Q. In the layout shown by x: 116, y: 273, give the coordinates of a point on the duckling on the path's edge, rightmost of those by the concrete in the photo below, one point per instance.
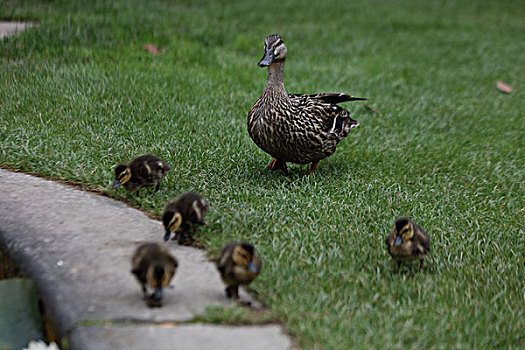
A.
x: 238, y: 264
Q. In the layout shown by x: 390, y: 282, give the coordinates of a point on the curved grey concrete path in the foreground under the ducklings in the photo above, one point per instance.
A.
x: 77, y: 247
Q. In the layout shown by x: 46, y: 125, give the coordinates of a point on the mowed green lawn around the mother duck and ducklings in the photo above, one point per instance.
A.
x: 447, y: 149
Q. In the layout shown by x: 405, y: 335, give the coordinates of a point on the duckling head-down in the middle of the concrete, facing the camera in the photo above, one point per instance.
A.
x: 154, y: 266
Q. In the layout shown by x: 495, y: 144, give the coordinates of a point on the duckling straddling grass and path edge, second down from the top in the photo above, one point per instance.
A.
x: 183, y: 212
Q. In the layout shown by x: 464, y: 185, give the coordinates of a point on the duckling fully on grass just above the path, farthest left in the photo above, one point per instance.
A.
x: 146, y: 170
